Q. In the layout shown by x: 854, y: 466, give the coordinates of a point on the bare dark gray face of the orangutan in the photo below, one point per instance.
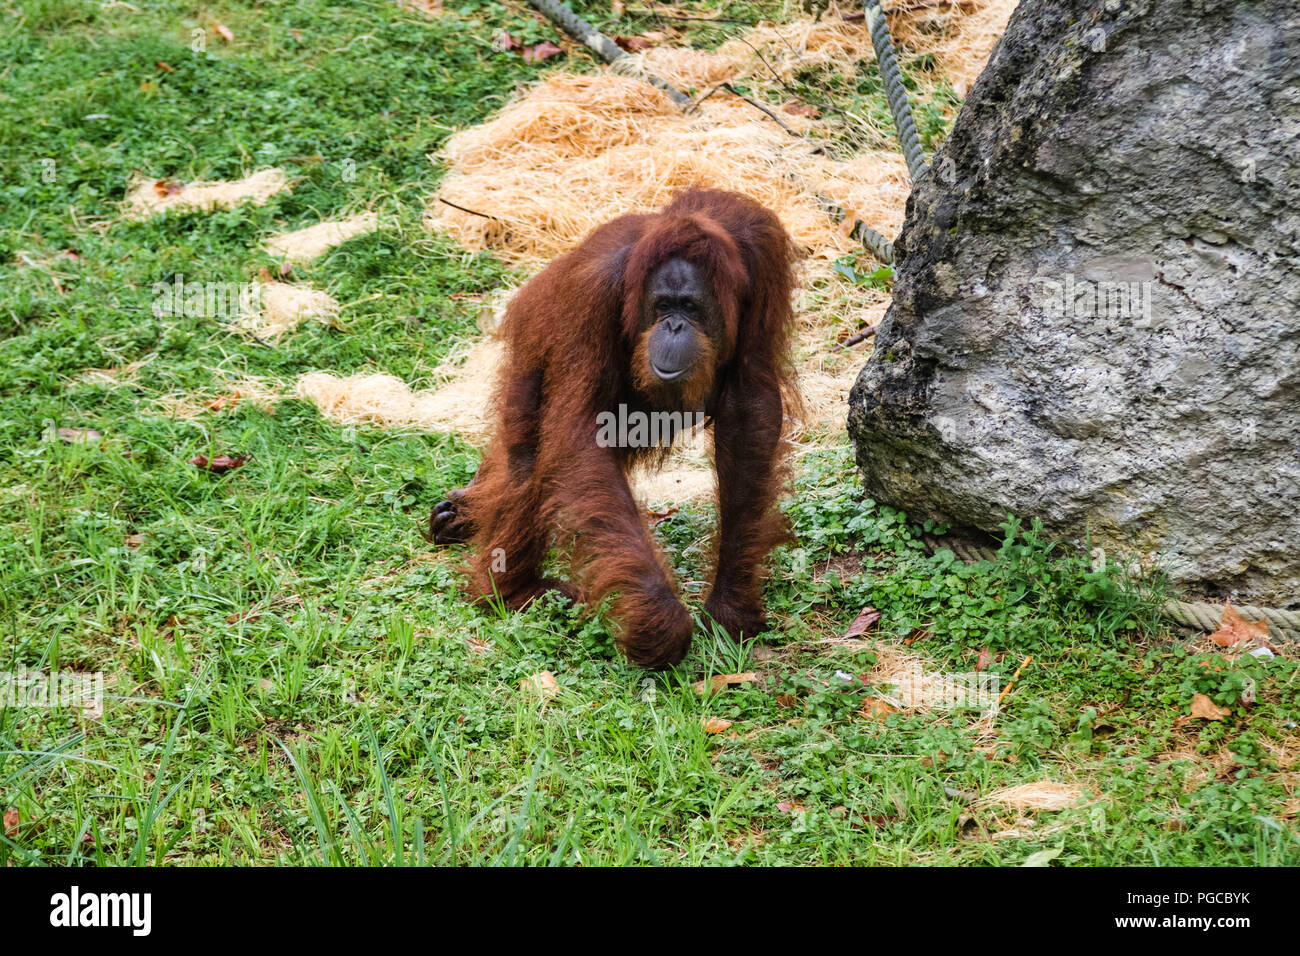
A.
x: 681, y: 308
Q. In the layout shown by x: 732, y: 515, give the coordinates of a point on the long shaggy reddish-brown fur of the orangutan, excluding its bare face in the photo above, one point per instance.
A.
x: 575, y: 351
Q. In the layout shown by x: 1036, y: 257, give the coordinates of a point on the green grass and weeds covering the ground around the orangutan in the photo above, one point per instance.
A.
x: 292, y: 677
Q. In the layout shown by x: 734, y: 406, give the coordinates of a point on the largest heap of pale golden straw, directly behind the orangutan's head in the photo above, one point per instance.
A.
x: 580, y: 150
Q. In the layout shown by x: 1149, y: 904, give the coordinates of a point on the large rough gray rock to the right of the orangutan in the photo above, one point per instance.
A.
x: 1097, y: 313
